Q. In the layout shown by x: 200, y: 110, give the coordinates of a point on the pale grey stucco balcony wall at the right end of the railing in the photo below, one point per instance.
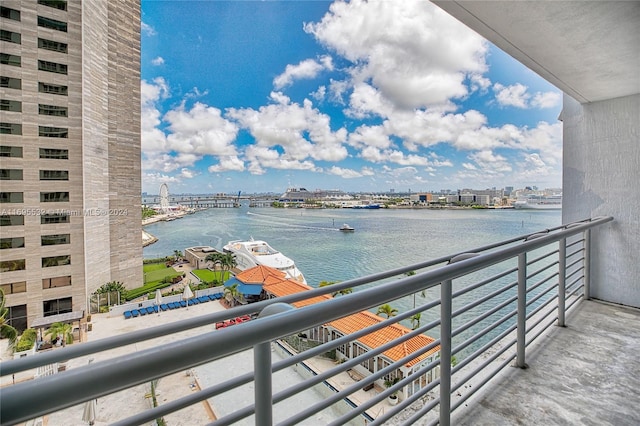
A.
x: 602, y: 177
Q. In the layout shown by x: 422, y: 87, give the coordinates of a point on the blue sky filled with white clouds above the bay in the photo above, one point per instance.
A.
x: 359, y: 96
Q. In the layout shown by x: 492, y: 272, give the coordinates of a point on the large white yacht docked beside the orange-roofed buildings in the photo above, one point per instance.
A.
x: 255, y: 252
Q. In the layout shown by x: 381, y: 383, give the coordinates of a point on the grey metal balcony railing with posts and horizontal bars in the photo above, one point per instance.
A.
x: 483, y: 308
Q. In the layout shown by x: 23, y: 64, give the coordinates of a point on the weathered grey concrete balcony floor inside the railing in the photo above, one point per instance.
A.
x: 587, y: 373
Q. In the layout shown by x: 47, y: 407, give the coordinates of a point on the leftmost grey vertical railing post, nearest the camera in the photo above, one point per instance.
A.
x: 263, y: 385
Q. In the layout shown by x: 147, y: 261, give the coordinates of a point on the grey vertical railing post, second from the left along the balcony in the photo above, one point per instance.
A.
x: 445, y: 352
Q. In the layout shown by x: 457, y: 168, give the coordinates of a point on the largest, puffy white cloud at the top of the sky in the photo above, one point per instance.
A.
x: 412, y: 52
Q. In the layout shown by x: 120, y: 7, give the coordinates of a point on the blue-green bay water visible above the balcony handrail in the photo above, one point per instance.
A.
x: 383, y: 239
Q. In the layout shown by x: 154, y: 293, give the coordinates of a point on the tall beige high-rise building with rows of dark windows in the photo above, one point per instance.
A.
x: 69, y: 153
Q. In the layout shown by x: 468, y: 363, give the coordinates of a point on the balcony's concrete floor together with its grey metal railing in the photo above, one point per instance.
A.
x: 518, y: 303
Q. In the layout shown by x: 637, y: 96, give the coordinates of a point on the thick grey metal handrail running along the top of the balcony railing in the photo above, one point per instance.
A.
x: 36, y: 397
